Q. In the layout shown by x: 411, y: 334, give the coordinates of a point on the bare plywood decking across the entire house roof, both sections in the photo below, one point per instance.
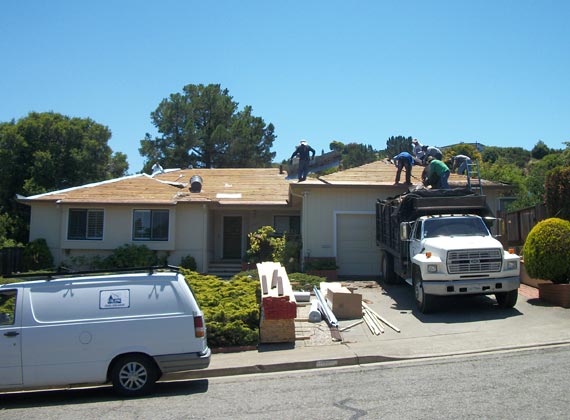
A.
x: 240, y: 186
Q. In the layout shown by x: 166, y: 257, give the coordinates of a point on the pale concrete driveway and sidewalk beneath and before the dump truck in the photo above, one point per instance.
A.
x: 467, y: 324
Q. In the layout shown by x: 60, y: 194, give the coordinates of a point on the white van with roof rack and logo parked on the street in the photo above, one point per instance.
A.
x: 127, y: 329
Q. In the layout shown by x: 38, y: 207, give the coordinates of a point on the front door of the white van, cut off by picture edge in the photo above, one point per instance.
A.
x: 10, y: 340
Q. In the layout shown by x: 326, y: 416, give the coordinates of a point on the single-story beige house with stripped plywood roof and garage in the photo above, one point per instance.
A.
x: 207, y: 214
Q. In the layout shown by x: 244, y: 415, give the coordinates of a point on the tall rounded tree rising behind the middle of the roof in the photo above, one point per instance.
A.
x: 202, y: 127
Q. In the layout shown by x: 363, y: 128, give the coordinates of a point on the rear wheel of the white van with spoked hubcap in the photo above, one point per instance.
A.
x: 134, y: 375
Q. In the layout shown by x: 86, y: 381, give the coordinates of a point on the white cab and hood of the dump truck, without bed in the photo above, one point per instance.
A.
x: 456, y: 254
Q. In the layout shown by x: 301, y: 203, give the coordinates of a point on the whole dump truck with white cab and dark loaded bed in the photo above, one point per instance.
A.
x: 439, y: 241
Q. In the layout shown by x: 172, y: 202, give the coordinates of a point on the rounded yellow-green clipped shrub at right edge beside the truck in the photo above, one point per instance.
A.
x: 546, y: 250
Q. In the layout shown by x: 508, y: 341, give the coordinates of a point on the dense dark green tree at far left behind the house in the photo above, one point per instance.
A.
x: 48, y: 151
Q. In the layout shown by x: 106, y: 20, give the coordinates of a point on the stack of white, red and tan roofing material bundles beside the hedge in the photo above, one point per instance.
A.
x: 278, y: 304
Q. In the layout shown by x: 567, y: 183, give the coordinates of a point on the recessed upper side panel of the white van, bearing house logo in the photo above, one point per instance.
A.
x: 74, y: 301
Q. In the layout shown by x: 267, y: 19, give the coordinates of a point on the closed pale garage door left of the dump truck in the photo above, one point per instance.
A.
x: 357, y: 253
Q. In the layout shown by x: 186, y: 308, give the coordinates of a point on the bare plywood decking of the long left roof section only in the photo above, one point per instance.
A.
x: 252, y: 186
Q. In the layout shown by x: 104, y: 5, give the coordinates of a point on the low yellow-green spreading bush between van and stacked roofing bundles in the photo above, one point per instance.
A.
x: 231, y: 308
